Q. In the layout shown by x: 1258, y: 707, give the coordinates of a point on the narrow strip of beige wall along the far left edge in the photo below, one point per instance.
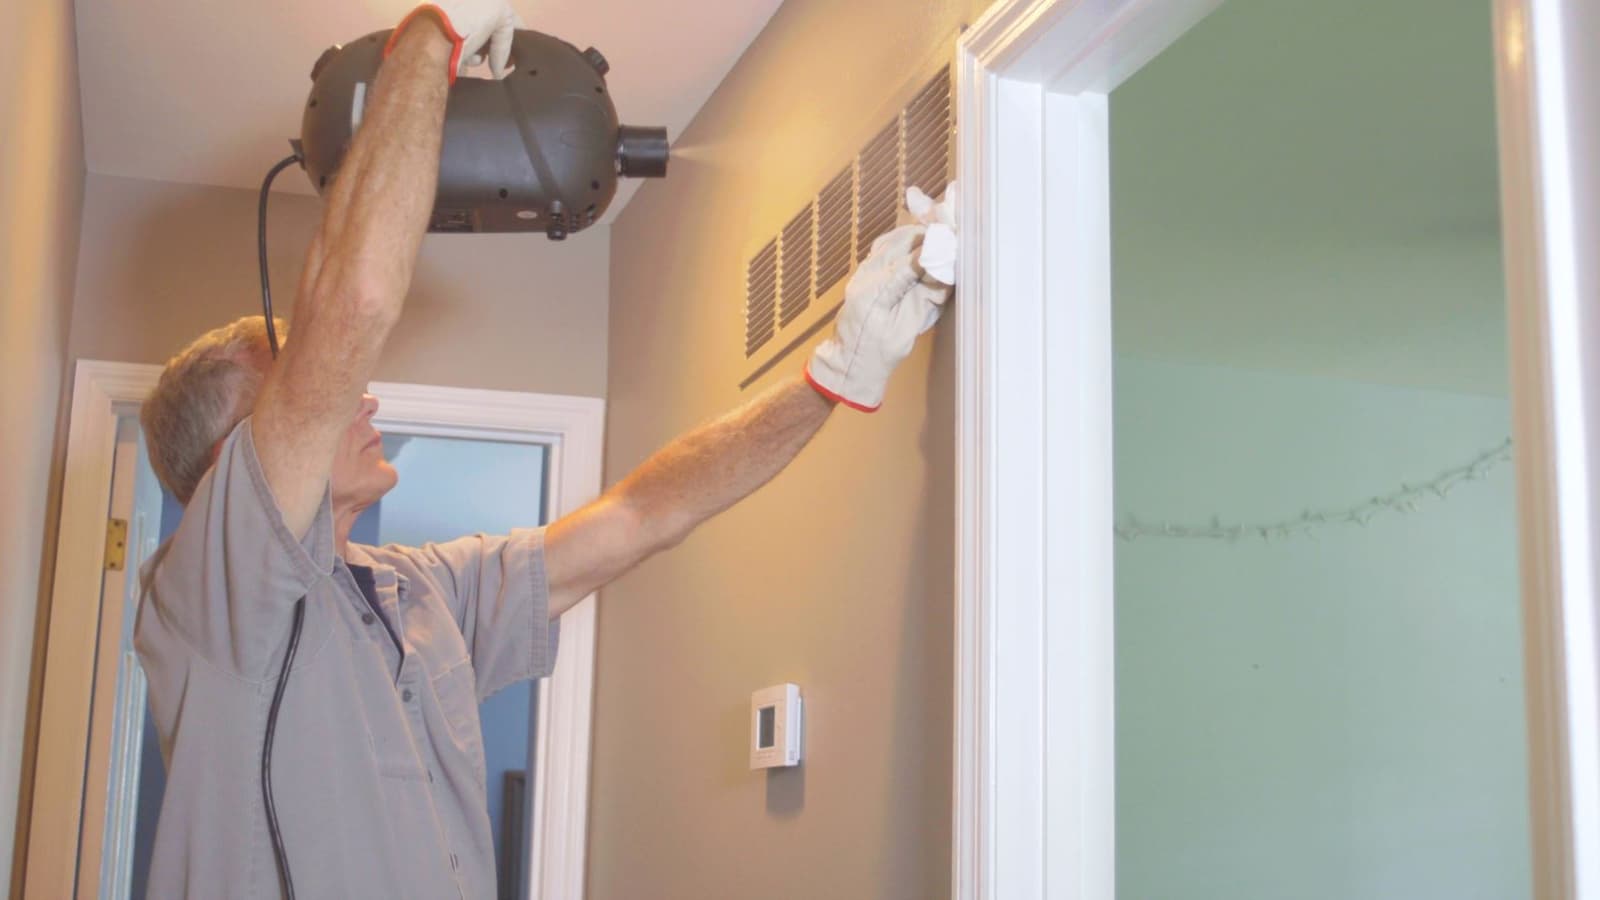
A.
x: 41, y: 201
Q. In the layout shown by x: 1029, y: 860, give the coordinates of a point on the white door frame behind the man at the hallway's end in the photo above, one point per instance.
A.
x: 103, y: 392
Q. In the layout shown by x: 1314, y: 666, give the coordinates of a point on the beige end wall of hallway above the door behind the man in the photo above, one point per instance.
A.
x: 164, y: 262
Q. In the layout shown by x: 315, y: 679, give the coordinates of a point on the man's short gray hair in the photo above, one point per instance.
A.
x: 207, y: 390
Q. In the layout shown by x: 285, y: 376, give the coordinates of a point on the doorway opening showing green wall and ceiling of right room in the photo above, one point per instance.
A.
x: 1319, y: 677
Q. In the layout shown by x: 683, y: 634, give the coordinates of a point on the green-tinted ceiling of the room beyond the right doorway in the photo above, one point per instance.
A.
x: 1311, y: 187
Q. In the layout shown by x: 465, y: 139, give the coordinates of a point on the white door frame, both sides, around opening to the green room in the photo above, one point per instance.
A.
x: 1034, y: 745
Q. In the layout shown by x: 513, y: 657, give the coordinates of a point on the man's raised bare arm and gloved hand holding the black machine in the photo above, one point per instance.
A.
x: 361, y: 262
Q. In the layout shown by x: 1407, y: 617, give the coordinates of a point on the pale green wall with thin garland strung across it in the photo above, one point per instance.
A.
x: 1314, y: 718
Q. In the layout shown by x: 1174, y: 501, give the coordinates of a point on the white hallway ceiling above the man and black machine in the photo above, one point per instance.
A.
x: 209, y: 94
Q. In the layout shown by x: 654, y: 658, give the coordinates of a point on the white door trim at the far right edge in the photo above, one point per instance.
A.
x: 1550, y: 153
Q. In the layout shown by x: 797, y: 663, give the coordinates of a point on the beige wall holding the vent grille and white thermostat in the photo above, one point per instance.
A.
x: 836, y: 577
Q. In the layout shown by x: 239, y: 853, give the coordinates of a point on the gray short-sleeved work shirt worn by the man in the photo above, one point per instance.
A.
x: 378, y: 763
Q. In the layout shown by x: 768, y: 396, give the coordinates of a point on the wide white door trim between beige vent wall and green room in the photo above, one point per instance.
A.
x: 1034, y: 755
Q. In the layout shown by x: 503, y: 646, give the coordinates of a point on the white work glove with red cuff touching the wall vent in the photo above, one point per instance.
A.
x: 889, y: 303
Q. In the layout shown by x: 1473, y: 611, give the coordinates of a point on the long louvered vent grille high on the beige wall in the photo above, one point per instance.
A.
x: 817, y: 249
